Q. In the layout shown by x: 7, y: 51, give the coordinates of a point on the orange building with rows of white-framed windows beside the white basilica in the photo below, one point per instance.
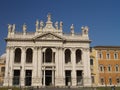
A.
x: 108, y: 58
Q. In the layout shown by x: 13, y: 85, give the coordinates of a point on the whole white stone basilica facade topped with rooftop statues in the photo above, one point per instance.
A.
x: 47, y: 57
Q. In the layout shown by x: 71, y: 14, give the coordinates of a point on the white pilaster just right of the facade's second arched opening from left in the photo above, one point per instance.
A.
x: 35, y: 67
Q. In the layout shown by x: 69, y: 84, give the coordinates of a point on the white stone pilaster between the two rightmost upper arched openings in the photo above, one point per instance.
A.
x: 73, y: 60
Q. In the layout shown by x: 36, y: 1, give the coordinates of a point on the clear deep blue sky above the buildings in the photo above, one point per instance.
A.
x: 101, y: 16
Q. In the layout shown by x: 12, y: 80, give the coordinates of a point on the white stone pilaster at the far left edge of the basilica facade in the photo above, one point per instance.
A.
x: 6, y: 78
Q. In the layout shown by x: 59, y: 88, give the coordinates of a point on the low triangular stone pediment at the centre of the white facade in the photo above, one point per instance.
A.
x: 48, y: 36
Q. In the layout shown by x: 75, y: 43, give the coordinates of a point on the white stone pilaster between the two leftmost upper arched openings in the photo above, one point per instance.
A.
x: 22, y: 67
